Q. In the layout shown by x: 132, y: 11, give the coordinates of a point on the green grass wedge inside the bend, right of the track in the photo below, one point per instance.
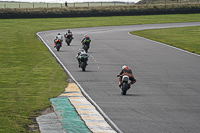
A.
x: 186, y: 38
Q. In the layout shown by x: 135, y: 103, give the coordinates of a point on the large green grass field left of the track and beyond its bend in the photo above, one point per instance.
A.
x: 30, y: 75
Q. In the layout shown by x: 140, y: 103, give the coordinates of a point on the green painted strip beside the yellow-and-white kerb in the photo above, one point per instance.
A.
x: 71, y: 121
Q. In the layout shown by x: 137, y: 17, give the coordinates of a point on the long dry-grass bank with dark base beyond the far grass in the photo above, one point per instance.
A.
x: 100, y: 11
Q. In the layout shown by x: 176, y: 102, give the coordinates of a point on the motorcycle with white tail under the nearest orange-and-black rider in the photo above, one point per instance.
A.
x: 125, y: 84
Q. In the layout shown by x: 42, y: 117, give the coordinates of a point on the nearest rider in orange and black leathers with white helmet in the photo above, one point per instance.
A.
x: 126, y: 71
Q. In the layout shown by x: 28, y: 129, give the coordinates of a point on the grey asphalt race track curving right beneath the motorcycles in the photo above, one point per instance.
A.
x: 166, y: 96
